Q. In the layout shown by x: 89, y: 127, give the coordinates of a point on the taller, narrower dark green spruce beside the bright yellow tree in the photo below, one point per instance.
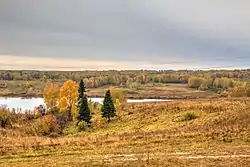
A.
x: 84, y: 113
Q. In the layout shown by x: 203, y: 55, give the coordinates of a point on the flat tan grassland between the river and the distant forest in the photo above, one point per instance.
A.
x: 167, y: 91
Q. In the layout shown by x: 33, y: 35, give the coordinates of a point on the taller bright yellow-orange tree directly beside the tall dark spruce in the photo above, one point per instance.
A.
x: 68, y: 97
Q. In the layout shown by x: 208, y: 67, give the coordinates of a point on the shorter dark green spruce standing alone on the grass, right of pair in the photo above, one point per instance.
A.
x: 108, y: 108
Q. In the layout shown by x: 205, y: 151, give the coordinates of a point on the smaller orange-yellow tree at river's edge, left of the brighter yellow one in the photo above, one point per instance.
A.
x: 51, y: 95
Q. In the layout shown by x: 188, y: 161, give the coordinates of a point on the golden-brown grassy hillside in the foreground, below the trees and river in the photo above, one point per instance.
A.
x: 187, y: 133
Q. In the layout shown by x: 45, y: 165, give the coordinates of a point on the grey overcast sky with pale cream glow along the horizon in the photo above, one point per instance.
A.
x: 124, y: 34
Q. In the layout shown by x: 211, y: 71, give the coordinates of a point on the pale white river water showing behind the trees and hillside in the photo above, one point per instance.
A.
x: 30, y: 103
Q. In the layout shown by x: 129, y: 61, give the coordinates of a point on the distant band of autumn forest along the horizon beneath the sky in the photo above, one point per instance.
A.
x: 215, y: 80
